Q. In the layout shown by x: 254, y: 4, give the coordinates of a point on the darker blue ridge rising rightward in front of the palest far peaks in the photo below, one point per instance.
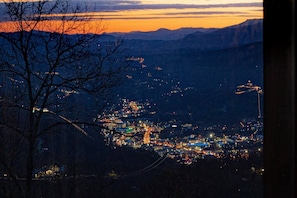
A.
x: 245, y: 33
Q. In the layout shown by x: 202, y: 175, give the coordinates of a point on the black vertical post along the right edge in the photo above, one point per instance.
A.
x: 279, y: 99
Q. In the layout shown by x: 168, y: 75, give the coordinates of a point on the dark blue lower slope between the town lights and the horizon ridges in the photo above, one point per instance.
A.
x: 199, y: 82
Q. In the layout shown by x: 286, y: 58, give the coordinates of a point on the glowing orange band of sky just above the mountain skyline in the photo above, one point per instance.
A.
x: 150, y: 18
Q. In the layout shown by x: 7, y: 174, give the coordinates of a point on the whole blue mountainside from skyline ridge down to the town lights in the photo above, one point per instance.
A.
x: 212, y: 64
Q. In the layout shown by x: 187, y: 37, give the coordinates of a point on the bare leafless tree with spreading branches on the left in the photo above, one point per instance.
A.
x: 43, y: 73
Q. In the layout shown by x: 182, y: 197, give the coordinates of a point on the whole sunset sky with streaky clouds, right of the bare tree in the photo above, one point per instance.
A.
x: 150, y: 15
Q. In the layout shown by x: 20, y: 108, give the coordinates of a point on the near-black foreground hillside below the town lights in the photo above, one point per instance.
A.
x: 96, y: 171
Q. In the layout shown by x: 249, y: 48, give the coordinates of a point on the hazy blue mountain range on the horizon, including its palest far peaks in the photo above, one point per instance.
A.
x: 250, y: 31
